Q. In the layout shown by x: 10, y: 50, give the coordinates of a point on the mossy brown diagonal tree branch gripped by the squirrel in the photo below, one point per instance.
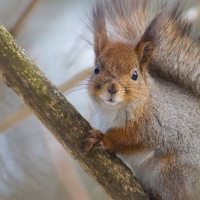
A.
x: 62, y: 119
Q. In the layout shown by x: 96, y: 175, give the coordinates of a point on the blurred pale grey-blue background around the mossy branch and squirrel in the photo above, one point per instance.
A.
x: 33, y: 165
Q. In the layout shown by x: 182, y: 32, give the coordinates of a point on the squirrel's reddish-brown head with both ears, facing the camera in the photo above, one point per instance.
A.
x: 119, y: 75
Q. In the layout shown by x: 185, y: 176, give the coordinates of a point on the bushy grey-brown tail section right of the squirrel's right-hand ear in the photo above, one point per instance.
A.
x: 177, y: 55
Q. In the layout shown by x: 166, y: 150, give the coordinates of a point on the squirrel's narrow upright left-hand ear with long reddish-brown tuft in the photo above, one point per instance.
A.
x: 99, y: 29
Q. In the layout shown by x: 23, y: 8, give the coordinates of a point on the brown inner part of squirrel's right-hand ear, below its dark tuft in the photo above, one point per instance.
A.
x: 144, y: 51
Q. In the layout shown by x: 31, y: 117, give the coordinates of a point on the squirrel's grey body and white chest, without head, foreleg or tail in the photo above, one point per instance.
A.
x: 171, y: 135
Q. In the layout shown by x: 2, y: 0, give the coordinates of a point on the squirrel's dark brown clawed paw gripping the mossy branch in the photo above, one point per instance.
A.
x: 94, y: 139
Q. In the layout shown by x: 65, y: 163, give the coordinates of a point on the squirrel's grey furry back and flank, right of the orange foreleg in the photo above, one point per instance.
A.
x: 175, y: 123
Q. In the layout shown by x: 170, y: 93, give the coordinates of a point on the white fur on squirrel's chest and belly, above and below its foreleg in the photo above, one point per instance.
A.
x: 103, y: 118
